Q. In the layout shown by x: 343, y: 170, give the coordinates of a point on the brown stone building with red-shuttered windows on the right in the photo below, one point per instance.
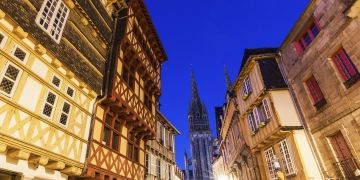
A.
x: 321, y: 59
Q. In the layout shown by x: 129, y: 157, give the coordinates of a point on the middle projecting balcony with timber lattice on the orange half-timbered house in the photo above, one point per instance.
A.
x: 131, y: 109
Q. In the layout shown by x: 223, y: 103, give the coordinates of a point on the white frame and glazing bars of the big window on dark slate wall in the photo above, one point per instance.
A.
x: 52, y: 19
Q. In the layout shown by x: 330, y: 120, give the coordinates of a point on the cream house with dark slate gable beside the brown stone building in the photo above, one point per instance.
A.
x: 269, y: 122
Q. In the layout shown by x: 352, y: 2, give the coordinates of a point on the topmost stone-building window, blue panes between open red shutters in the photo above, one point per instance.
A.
x: 308, y: 36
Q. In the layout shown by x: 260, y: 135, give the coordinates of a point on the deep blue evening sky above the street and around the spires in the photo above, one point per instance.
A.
x: 208, y: 34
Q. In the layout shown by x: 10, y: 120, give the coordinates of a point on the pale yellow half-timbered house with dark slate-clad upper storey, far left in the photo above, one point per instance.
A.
x: 52, y: 57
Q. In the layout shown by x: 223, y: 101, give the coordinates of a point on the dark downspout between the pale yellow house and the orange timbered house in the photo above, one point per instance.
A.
x: 117, y: 35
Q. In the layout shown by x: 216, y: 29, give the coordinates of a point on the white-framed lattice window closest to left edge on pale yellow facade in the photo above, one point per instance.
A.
x: 9, y: 79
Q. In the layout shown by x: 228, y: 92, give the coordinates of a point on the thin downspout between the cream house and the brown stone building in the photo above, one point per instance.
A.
x: 301, y: 115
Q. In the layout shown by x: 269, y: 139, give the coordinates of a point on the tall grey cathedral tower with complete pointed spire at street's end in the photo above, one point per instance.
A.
x: 200, y: 138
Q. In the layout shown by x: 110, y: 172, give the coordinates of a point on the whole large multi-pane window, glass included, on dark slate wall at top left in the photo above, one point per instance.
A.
x: 52, y: 18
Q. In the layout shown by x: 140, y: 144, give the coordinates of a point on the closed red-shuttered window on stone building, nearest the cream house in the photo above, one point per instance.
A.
x: 315, y: 92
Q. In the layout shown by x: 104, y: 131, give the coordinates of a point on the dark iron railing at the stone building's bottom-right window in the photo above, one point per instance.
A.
x: 346, y: 168
